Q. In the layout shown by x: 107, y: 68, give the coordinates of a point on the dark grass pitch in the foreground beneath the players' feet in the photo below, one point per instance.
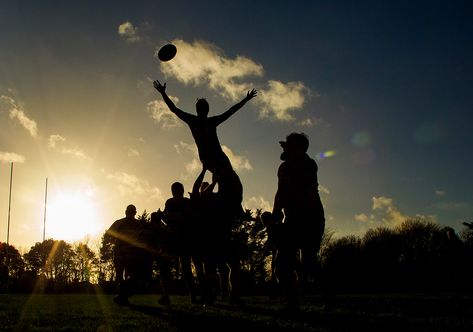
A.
x: 21, y: 312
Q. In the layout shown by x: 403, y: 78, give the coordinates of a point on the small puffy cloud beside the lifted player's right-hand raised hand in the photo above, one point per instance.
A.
x: 280, y: 100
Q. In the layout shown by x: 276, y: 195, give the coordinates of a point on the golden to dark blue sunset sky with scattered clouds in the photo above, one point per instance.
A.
x: 384, y: 91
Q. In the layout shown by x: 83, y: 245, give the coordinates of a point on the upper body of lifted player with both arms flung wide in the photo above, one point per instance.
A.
x: 204, y: 128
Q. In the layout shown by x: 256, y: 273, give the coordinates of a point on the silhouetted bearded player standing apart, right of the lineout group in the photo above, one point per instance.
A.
x: 297, y: 200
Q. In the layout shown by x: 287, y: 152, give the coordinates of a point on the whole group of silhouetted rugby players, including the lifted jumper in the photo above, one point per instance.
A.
x: 198, y: 229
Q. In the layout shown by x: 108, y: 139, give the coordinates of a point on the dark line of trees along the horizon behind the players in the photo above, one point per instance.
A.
x: 419, y: 255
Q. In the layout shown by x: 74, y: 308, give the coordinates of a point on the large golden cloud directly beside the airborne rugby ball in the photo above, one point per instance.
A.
x: 202, y: 63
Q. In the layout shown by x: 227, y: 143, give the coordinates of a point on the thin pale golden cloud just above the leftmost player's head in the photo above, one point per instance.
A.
x: 130, y: 184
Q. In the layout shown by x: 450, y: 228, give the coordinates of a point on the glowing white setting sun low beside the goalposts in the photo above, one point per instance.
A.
x: 72, y: 216
